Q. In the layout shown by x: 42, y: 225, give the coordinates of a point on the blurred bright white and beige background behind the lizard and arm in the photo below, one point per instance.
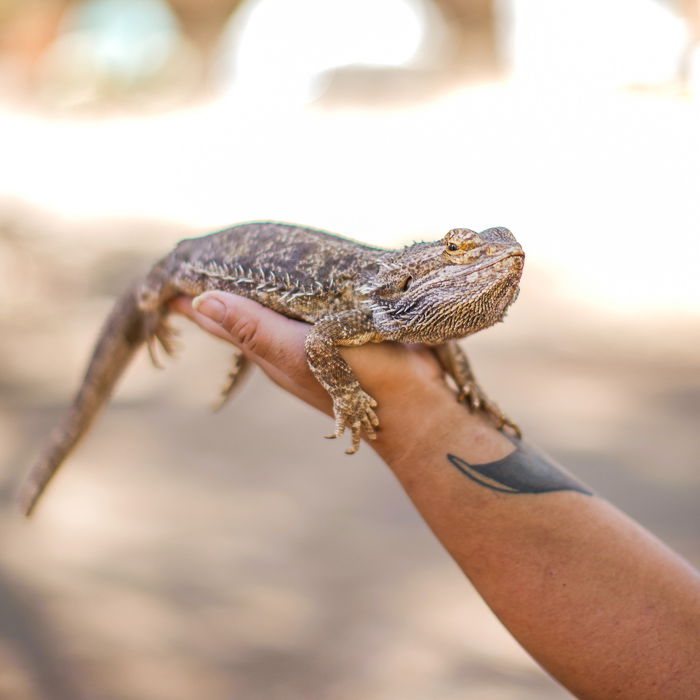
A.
x: 183, y: 555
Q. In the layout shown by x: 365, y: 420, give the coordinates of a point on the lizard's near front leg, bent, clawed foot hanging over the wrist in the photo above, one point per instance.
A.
x: 352, y: 406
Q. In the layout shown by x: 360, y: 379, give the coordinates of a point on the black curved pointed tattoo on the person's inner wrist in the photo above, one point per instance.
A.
x: 522, y: 471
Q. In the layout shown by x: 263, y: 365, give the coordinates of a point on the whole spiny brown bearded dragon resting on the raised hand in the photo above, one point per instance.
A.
x: 351, y: 293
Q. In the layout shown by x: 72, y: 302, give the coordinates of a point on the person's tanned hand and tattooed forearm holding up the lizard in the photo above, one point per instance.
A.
x: 601, y: 604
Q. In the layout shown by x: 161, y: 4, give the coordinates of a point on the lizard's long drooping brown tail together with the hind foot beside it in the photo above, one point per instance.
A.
x: 125, y: 330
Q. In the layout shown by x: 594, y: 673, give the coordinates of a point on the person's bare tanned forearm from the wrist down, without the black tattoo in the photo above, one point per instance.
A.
x: 599, y: 602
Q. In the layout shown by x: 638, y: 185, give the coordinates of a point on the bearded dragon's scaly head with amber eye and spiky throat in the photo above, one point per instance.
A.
x: 433, y: 292
